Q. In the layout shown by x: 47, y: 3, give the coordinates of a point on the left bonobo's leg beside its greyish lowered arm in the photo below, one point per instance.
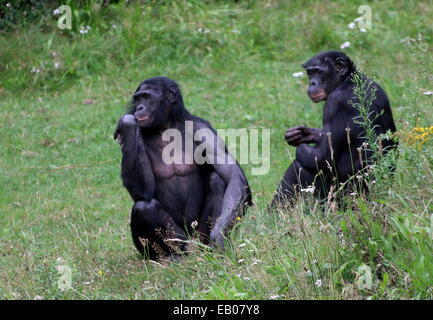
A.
x: 212, y: 205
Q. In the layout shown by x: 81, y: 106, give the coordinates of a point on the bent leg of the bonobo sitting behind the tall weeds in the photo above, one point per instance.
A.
x: 295, y: 178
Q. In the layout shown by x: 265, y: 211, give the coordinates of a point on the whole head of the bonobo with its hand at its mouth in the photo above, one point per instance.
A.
x: 156, y: 101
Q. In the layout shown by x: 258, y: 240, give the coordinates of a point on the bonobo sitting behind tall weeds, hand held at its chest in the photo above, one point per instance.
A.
x: 330, y: 155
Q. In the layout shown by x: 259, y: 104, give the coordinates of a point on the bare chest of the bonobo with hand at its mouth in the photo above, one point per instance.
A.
x: 168, y: 159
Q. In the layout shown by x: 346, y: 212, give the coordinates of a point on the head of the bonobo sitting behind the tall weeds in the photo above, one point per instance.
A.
x: 325, y: 72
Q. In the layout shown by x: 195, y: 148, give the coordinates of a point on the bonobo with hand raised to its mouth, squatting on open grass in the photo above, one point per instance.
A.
x: 174, y: 199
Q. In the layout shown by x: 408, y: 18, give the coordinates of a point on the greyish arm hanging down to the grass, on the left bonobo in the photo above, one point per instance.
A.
x: 237, y: 193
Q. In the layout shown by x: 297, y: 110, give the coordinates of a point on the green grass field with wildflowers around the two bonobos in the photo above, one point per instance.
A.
x: 60, y: 189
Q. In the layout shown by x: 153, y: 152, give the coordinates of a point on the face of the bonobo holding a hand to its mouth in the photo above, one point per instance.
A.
x: 151, y: 106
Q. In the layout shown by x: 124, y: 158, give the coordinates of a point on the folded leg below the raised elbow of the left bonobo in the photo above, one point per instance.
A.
x: 153, y: 230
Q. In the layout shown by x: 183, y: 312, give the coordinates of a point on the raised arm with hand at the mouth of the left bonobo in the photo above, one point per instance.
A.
x: 137, y: 174
